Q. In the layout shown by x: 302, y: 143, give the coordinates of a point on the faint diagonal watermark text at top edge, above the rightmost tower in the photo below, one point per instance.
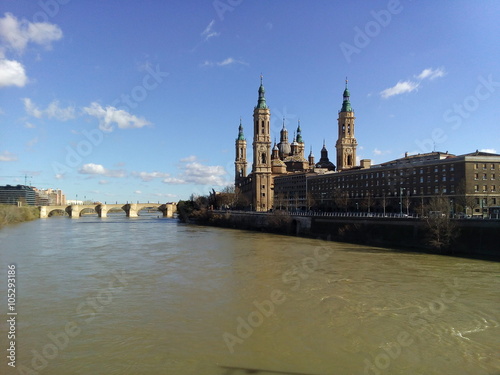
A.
x: 372, y: 29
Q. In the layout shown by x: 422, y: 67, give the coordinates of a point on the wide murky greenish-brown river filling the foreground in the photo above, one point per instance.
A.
x: 152, y: 296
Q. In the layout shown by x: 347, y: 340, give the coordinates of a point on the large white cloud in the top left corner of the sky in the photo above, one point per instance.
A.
x: 17, y: 34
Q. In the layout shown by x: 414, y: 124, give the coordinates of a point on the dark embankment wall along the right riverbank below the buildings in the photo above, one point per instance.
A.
x: 474, y: 236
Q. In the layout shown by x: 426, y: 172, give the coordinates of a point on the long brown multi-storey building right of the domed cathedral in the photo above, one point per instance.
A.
x: 406, y: 184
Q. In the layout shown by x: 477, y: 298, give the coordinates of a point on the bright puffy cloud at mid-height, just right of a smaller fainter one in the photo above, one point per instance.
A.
x: 111, y: 115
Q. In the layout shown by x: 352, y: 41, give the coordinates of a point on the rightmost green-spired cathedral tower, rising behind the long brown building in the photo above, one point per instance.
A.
x: 346, y: 143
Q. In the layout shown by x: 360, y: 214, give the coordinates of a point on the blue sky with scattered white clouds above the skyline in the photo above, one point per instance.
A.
x: 141, y: 100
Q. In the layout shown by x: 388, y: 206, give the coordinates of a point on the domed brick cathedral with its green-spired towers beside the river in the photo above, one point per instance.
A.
x: 285, y: 157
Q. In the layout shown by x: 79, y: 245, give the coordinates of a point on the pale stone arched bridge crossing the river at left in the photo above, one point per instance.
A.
x: 131, y: 209
